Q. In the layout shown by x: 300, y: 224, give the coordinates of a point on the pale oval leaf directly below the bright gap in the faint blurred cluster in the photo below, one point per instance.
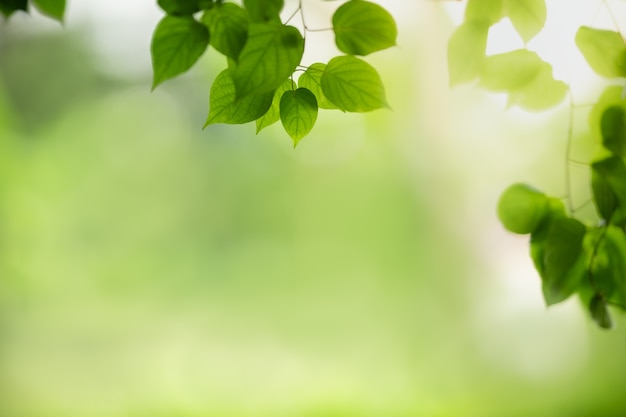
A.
x: 510, y: 71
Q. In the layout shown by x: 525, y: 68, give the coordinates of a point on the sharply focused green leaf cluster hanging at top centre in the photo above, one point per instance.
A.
x: 263, y: 54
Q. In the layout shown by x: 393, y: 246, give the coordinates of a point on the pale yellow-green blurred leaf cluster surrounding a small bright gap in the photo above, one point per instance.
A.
x: 521, y: 74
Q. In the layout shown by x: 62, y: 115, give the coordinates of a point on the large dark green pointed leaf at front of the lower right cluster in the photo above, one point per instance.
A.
x: 565, y: 265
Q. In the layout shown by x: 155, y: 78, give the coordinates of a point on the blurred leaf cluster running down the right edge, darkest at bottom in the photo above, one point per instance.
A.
x: 572, y: 257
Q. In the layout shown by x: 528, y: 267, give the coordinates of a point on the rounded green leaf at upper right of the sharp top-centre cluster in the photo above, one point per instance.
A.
x: 362, y: 27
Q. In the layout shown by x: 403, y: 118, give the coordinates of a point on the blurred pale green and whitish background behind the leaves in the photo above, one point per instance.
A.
x: 149, y: 268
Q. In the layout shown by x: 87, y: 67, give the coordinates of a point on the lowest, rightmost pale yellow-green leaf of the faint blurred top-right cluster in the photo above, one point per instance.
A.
x: 540, y: 93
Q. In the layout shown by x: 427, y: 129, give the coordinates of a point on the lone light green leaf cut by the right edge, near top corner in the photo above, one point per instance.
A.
x: 604, y: 51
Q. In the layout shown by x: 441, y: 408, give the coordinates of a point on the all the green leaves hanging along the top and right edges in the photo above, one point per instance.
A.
x: 264, y: 81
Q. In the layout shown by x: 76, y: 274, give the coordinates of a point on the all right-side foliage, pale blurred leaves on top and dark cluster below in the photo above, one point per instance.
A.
x: 571, y: 257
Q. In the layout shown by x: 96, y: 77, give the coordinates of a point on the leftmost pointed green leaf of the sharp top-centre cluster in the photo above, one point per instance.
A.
x: 177, y: 44
